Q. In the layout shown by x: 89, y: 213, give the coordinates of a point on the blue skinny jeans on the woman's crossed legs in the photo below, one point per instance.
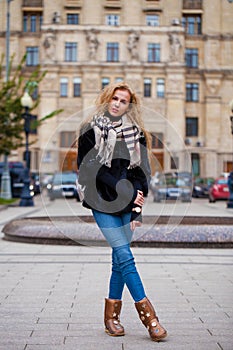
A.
x: 117, y: 232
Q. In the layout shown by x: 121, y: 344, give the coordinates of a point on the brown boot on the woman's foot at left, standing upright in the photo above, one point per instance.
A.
x: 112, y: 318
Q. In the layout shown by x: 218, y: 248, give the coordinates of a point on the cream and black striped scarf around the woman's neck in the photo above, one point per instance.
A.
x: 106, y: 134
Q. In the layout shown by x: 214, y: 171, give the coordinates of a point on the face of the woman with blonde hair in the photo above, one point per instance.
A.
x: 119, y: 103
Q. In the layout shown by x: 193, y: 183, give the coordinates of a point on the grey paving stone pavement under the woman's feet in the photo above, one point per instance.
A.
x: 52, y: 298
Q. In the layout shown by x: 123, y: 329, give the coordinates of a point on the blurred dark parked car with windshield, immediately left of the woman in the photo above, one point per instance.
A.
x: 63, y: 184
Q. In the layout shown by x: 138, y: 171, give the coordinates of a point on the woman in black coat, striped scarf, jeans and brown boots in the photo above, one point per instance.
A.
x: 114, y: 169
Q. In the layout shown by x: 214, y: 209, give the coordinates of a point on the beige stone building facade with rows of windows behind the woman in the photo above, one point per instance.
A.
x: 177, y: 55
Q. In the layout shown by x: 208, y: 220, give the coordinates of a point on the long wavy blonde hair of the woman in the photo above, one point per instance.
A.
x: 134, y: 113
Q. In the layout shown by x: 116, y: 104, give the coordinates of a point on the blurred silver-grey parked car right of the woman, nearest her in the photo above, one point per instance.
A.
x: 176, y: 185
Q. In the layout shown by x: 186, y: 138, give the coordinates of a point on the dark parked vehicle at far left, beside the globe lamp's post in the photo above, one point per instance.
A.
x: 16, y: 170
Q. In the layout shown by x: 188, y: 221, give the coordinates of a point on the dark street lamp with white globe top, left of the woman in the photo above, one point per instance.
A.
x: 26, y: 197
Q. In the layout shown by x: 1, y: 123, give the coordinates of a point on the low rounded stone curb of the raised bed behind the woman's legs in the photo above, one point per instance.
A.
x: 162, y: 231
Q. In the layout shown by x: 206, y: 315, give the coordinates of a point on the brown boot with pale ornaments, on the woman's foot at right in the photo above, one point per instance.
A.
x: 150, y: 320
